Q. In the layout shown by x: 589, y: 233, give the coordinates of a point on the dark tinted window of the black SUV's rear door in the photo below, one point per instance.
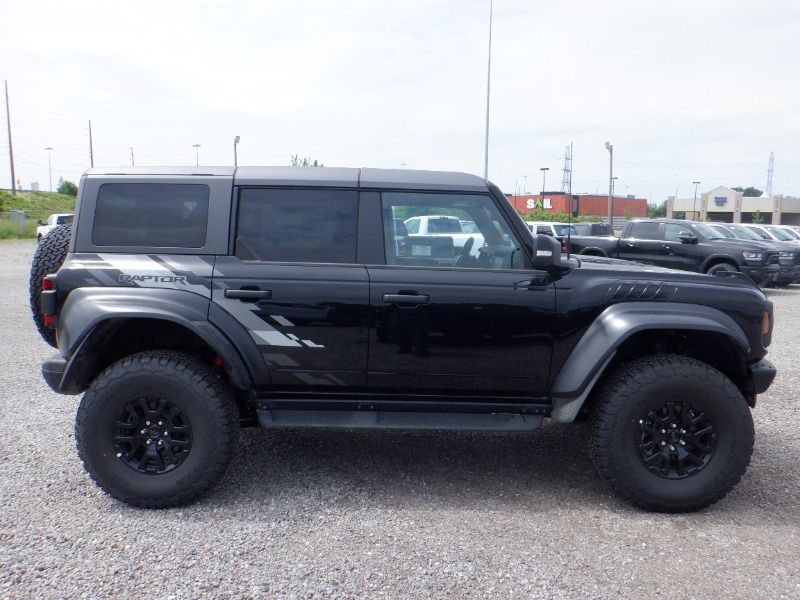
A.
x: 297, y: 225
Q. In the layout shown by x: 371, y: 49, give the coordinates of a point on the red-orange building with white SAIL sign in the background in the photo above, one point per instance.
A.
x: 580, y: 205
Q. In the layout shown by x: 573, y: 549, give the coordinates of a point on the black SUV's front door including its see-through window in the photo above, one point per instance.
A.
x: 458, y: 322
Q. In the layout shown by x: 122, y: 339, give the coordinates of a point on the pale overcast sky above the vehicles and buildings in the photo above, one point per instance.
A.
x: 685, y: 91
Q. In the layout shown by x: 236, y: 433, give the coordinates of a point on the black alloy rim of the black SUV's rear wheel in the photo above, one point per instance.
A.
x: 152, y: 436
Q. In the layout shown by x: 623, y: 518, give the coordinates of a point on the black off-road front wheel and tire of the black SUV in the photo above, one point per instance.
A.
x: 622, y: 432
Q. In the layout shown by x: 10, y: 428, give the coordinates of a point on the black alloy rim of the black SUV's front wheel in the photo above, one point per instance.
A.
x: 676, y: 440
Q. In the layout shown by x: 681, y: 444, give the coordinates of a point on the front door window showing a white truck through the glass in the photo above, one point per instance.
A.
x: 436, y: 235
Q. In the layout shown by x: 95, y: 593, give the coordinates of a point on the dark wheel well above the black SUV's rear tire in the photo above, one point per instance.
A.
x: 115, y: 339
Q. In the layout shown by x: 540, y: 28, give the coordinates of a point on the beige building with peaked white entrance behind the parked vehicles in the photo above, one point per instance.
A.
x: 729, y: 206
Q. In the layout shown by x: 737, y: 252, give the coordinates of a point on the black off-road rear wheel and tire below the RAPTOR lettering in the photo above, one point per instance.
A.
x: 191, y: 390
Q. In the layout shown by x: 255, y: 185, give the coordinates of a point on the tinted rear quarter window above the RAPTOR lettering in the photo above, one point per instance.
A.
x: 159, y: 215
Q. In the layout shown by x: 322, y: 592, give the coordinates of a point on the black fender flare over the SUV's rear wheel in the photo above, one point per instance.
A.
x: 87, y: 309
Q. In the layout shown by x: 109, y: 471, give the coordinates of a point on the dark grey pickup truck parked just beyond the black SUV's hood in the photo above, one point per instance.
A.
x: 684, y: 245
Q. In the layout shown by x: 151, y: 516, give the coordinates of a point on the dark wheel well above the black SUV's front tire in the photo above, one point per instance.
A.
x: 715, y: 349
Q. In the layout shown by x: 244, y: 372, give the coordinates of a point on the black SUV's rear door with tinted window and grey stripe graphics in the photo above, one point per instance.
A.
x: 294, y: 284
